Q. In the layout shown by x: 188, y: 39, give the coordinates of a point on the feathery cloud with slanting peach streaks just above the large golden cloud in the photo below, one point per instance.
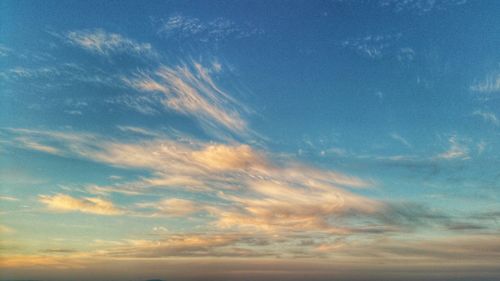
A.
x: 191, y: 90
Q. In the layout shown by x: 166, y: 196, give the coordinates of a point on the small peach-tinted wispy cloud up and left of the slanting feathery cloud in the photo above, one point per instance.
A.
x: 105, y: 43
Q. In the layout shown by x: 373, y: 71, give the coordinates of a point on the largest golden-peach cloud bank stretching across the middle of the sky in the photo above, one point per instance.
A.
x: 265, y: 192
